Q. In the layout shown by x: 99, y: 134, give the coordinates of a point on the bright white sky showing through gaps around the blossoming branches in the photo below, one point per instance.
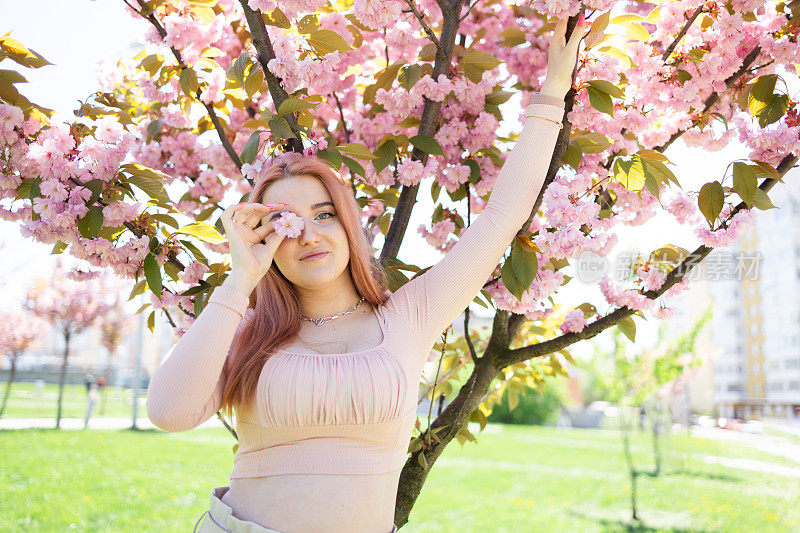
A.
x: 75, y: 36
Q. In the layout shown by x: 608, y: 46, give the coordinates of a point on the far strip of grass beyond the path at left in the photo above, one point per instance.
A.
x: 24, y: 402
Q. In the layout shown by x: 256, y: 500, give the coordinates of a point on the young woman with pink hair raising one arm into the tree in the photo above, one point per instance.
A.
x: 320, y: 360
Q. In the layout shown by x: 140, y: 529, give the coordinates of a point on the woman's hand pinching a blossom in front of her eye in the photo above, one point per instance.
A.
x: 252, y: 243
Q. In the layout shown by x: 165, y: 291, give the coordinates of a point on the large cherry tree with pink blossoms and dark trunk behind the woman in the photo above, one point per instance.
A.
x: 403, y: 98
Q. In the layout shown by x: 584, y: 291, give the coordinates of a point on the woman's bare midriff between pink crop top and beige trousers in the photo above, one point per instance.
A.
x: 317, y: 502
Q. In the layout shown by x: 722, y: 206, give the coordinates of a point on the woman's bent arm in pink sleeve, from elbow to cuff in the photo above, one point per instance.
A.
x: 186, y: 389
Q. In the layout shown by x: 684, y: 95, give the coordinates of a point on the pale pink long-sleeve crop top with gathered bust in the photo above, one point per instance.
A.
x: 352, y: 413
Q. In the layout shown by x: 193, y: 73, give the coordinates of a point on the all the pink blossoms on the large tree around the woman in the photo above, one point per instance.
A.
x: 656, y: 105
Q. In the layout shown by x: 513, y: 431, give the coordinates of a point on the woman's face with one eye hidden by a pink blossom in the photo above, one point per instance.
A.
x: 309, y: 199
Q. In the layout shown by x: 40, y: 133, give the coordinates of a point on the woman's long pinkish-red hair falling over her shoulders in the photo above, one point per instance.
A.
x: 275, y: 316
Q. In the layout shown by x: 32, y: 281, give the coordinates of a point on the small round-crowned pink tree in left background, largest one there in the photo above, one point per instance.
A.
x: 70, y: 302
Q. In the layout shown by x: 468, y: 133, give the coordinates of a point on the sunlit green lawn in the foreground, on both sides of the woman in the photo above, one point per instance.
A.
x: 515, y: 478
